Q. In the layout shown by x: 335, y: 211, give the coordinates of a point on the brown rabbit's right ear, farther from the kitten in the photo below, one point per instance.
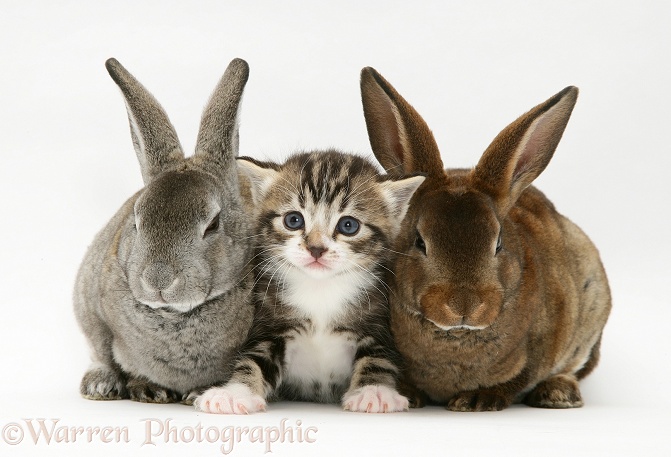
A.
x: 523, y: 149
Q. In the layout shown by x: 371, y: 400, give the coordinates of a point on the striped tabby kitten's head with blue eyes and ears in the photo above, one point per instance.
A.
x: 326, y: 214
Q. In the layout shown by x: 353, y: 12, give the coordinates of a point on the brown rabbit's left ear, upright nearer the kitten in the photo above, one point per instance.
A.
x: 401, y: 140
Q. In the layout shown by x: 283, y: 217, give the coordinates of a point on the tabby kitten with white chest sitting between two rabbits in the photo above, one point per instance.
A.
x: 326, y: 221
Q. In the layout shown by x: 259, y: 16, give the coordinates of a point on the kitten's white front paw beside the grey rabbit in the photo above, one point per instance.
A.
x: 233, y: 398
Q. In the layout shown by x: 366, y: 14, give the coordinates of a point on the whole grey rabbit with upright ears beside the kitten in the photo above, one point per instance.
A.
x: 163, y: 294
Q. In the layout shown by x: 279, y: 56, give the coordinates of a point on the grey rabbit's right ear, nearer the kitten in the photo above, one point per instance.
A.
x: 218, y: 135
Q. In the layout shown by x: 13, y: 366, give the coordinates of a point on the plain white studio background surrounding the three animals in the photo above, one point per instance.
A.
x: 469, y: 67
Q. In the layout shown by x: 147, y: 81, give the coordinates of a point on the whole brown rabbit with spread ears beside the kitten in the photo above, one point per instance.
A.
x: 497, y: 298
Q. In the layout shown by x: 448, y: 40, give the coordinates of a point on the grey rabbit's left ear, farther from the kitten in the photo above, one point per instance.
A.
x: 154, y: 138
